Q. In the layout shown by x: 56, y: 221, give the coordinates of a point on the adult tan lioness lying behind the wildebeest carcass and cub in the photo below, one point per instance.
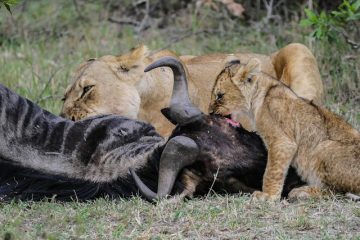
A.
x: 118, y: 84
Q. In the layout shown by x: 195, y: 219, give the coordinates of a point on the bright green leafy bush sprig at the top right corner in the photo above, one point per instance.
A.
x: 329, y: 25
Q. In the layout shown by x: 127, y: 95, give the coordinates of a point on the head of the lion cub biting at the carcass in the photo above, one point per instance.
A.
x: 233, y: 88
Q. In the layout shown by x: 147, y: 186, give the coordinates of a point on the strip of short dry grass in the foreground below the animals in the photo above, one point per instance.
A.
x: 216, y: 217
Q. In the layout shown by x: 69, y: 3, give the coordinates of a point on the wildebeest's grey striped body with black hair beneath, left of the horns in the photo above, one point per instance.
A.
x: 42, y: 155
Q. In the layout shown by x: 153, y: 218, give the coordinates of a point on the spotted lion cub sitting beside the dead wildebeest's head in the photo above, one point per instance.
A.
x: 324, y: 149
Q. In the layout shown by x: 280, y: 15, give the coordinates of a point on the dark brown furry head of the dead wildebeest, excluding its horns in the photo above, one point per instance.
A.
x: 231, y: 153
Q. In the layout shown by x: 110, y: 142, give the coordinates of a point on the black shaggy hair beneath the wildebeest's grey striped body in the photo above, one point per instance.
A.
x: 27, y: 184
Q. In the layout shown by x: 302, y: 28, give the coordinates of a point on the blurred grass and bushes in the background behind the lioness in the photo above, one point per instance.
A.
x: 42, y: 42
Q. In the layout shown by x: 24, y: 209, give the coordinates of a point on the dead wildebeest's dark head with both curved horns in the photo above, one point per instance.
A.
x: 227, y: 157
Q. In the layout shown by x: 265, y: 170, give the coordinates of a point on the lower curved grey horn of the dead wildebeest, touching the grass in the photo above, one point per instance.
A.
x: 179, y: 152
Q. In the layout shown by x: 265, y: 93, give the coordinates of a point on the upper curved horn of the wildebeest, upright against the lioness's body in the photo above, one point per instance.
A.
x: 181, y: 110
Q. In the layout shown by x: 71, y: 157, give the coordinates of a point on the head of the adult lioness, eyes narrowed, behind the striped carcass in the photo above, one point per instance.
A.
x: 106, y: 85
